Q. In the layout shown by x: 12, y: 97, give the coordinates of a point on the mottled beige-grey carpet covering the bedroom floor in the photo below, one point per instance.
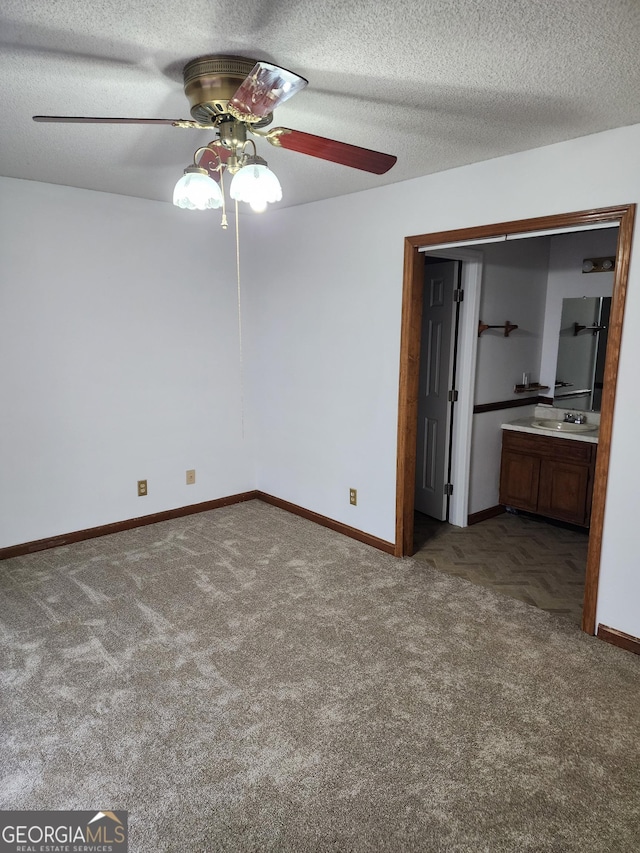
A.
x: 245, y: 680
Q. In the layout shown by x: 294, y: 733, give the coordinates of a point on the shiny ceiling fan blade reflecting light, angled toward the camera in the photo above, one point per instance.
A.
x: 265, y: 87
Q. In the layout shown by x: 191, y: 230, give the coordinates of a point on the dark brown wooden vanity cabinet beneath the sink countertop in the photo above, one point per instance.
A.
x: 549, y: 476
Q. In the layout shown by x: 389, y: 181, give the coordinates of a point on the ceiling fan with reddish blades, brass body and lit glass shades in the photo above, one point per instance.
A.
x: 235, y: 95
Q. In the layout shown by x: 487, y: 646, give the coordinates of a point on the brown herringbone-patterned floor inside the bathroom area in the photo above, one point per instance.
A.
x: 520, y: 556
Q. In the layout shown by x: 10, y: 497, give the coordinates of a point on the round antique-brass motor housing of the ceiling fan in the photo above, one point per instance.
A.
x: 211, y: 81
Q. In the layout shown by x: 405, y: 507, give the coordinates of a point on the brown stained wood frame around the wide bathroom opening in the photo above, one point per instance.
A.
x: 410, y: 361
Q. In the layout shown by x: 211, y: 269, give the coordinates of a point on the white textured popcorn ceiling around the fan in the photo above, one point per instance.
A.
x: 439, y: 83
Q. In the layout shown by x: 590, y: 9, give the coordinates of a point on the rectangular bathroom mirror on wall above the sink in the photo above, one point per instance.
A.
x: 582, y: 346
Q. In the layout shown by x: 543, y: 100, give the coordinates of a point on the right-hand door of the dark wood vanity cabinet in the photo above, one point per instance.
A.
x: 564, y: 491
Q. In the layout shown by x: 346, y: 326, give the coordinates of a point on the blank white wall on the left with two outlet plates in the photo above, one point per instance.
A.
x: 119, y: 354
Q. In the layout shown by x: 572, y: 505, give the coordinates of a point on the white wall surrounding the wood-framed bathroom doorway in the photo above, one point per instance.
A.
x: 326, y: 320
